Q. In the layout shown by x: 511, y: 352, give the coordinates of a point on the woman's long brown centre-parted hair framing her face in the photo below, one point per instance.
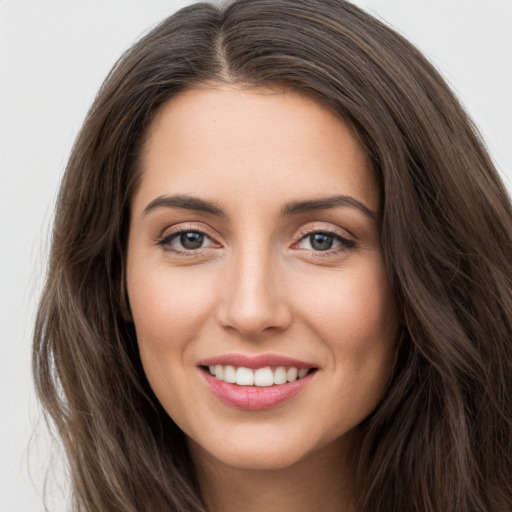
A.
x: 441, y: 438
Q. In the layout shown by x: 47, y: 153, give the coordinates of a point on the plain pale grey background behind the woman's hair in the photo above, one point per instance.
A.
x: 53, y: 57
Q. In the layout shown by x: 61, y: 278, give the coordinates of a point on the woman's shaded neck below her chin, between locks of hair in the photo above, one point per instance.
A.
x: 320, y: 481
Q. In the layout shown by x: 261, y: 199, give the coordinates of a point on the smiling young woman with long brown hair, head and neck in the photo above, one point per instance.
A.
x: 280, y: 276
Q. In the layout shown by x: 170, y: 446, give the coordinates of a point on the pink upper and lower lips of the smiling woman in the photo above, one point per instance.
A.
x: 255, y: 398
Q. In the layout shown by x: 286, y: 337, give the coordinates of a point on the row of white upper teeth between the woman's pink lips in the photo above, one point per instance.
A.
x: 262, y: 377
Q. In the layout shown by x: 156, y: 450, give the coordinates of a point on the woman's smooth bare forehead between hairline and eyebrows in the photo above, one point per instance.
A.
x: 225, y: 142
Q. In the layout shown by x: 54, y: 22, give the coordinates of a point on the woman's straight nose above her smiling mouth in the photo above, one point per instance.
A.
x: 254, y: 301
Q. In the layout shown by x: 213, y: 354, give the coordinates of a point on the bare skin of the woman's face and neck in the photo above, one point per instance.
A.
x: 257, y: 286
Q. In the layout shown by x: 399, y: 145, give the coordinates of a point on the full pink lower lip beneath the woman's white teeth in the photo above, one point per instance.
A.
x: 255, y: 398
